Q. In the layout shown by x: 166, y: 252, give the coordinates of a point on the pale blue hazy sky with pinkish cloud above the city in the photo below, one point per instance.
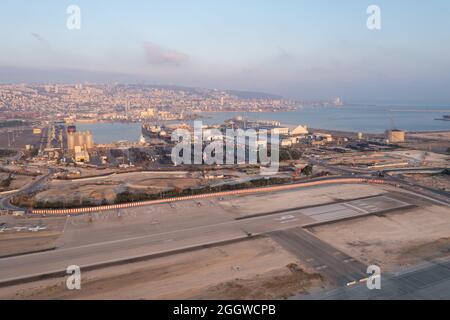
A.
x: 296, y: 48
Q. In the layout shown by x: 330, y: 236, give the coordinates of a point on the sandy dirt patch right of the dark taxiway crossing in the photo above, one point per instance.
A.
x: 395, y: 240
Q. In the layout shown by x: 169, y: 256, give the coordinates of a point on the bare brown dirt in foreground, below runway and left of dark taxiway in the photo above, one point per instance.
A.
x: 254, y: 269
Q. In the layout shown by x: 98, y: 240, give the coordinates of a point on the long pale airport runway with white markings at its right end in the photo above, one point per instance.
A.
x: 120, y: 249
